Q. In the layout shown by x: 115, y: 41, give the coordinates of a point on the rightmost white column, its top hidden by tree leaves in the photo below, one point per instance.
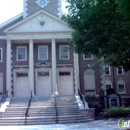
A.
x: 76, y: 72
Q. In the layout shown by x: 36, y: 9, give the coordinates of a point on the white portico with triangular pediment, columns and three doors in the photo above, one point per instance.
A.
x: 42, y: 80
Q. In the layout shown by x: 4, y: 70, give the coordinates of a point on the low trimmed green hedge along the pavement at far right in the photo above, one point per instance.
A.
x: 117, y: 112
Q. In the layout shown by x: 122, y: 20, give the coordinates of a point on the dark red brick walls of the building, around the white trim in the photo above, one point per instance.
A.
x: 52, y: 8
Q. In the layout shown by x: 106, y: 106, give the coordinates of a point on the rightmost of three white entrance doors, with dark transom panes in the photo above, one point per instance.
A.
x: 65, y: 83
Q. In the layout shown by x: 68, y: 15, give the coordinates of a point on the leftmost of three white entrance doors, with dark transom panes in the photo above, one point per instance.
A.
x: 22, y: 85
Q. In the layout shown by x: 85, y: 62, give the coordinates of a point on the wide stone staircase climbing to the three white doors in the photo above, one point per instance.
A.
x: 59, y: 110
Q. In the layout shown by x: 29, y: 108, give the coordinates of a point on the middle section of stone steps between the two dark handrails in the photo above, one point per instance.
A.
x: 41, y: 111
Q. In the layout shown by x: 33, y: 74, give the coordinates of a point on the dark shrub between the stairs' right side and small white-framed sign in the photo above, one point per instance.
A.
x: 94, y: 102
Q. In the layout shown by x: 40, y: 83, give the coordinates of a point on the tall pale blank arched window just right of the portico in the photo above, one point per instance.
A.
x: 89, y: 80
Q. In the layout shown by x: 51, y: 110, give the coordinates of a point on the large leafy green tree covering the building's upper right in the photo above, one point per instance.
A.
x: 101, y: 29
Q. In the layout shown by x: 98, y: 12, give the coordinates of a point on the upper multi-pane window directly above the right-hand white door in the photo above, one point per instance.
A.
x: 64, y: 52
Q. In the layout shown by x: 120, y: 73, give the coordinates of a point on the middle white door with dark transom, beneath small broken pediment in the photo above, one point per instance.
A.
x: 43, y: 83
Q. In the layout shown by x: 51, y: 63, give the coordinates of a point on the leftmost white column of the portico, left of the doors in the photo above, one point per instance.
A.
x: 8, y: 68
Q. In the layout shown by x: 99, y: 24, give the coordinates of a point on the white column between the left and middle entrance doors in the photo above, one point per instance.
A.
x: 31, y: 67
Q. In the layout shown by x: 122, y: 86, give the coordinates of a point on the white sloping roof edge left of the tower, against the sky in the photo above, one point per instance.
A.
x: 10, y: 20
